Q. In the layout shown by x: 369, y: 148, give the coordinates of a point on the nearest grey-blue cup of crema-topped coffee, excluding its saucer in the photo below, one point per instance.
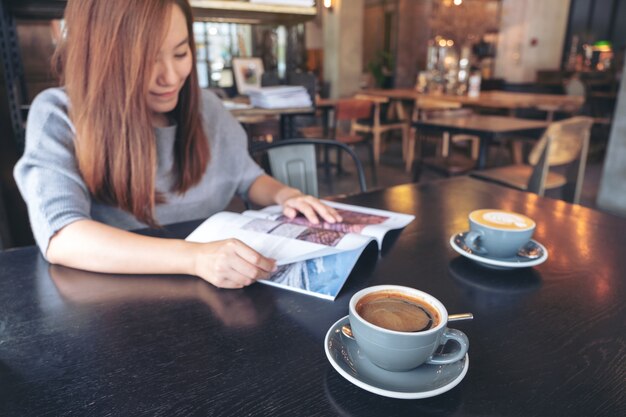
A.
x: 399, y: 337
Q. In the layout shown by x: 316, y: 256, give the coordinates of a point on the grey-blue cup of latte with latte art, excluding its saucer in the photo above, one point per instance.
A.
x: 498, y: 233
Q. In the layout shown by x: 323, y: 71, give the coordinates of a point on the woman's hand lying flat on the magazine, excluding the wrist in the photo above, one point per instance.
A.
x: 294, y: 202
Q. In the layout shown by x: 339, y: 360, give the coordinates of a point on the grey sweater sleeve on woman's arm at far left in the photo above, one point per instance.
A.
x: 47, y: 174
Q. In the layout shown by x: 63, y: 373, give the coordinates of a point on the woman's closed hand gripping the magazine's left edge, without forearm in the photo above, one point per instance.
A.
x: 230, y: 263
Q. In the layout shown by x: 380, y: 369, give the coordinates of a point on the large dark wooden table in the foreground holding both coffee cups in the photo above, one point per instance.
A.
x: 545, y: 341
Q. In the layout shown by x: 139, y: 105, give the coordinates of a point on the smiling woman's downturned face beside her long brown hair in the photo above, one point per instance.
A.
x: 172, y: 67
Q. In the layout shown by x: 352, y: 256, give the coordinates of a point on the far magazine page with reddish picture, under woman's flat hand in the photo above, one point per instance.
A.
x: 356, y: 219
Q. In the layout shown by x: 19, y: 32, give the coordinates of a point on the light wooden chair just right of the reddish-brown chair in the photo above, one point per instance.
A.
x: 377, y: 126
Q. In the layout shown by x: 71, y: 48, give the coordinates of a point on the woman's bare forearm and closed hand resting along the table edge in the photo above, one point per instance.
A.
x: 93, y: 246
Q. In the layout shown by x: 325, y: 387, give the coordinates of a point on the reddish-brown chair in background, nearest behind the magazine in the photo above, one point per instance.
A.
x: 347, y: 123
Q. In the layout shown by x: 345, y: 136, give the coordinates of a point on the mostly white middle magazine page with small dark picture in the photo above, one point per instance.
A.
x: 286, y: 243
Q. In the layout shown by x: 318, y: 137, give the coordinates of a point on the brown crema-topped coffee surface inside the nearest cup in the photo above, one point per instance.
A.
x: 397, y: 311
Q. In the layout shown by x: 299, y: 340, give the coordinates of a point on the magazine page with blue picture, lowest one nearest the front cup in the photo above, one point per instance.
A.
x: 321, y: 277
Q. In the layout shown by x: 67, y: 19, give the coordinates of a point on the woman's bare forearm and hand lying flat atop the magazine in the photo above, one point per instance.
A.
x: 265, y: 191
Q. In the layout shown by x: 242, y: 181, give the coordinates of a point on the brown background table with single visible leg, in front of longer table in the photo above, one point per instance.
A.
x: 487, y: 128
